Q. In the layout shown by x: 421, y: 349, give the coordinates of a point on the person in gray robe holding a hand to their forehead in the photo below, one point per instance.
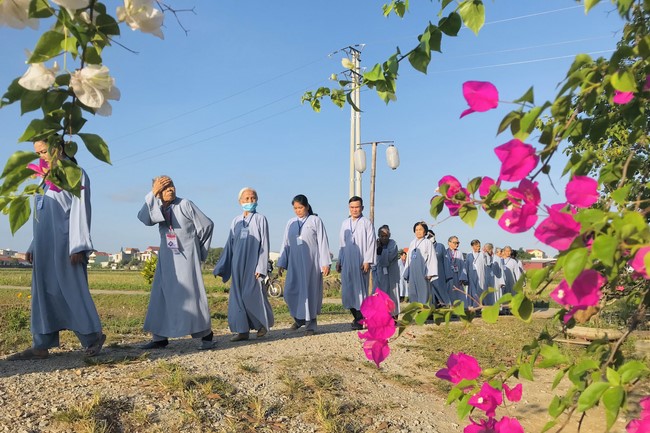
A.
x: 178, y: 305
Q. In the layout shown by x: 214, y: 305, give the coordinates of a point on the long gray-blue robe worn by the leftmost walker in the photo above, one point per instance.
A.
x: 60, y: 295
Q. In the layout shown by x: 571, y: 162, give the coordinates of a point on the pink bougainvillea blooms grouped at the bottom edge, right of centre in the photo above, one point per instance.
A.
x: 461, y: 366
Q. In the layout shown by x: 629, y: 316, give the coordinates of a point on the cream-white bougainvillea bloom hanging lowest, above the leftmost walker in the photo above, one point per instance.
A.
x: 93, y: 86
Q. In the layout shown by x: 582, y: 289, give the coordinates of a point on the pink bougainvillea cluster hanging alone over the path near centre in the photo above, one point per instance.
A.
x: 378, y: 320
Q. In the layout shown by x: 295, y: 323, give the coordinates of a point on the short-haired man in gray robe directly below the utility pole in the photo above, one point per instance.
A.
x: 357, y: 253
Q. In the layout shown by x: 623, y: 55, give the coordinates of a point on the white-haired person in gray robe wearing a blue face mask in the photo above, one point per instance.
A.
x: 245, y: 259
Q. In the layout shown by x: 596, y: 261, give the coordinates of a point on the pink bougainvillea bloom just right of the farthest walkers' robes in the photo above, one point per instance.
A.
x: 584, y: 292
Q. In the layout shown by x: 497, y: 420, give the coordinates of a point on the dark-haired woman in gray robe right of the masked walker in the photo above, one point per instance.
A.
x: 305, y: 255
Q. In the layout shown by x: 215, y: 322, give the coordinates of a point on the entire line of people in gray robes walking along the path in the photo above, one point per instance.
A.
x: 178, y: 304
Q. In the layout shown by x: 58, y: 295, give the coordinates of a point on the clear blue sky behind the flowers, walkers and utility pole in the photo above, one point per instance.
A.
x: 219, y: 109
